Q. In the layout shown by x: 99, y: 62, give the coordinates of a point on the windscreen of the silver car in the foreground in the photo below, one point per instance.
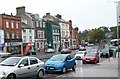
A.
x: 10, y: 61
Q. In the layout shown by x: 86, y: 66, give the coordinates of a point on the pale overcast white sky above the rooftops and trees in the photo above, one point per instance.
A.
x: 85, y: 14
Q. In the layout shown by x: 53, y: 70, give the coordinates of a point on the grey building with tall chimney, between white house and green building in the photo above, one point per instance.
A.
x: 33, y: 21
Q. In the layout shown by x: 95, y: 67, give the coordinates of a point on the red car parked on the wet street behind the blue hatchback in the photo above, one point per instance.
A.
x: 91, y: 58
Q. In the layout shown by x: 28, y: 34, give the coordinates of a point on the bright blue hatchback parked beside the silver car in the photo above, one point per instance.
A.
x: 60, y: 63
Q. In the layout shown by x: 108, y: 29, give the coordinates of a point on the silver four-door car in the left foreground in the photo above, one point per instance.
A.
x: 21, y: 67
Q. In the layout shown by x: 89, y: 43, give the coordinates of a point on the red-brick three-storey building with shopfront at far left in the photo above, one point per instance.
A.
x: 11, y: 28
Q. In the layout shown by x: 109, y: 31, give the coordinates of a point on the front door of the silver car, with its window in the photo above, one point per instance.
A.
x: 23, y: 68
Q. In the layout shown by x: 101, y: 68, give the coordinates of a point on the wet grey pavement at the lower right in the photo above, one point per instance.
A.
x: 105, y: 69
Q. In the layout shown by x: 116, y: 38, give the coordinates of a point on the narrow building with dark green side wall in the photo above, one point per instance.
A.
x: 53, y: 33
